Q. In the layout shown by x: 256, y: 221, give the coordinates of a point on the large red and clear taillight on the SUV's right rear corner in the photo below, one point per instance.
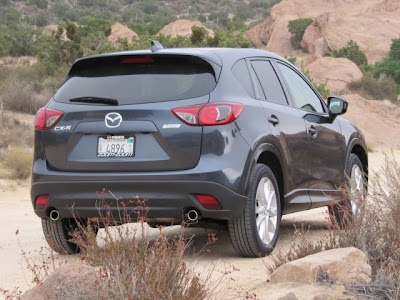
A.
x: 209, y: 114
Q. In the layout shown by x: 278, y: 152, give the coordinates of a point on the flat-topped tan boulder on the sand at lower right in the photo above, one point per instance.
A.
x: 346, y: 265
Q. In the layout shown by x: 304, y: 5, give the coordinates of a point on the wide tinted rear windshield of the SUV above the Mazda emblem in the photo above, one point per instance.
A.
x: 138, y: 79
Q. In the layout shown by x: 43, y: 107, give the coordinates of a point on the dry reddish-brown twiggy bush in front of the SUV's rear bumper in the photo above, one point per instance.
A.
x: 129, y: 264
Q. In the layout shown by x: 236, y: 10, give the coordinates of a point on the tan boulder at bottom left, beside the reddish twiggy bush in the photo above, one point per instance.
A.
x: 75, y: 280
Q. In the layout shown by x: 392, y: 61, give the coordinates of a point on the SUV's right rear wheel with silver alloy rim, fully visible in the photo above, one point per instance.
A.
x: 247, y: 238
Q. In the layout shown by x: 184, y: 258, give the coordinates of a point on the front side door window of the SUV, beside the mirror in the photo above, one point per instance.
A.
x: 303, y: 95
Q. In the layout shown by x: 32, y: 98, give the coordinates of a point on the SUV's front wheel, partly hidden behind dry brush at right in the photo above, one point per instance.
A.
x: 341, y: 214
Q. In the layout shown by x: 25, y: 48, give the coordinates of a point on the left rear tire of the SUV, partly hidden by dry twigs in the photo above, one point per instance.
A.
x: 57, y: 234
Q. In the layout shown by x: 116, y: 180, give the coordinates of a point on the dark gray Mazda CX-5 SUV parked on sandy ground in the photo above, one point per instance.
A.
x: 226, y: 138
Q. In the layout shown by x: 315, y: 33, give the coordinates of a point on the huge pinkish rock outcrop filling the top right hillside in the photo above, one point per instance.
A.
x: 371, y: 23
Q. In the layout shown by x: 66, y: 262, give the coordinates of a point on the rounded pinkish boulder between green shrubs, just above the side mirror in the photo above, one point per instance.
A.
x: 336, y: 72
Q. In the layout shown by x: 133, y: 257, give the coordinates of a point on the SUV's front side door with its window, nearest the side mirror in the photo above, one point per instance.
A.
x: 325, y: 141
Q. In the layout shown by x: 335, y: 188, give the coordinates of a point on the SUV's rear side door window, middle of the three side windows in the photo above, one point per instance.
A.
x: 269, y: 81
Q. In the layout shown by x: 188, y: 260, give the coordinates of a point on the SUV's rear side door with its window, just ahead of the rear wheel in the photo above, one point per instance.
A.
x: 289, y: 131
